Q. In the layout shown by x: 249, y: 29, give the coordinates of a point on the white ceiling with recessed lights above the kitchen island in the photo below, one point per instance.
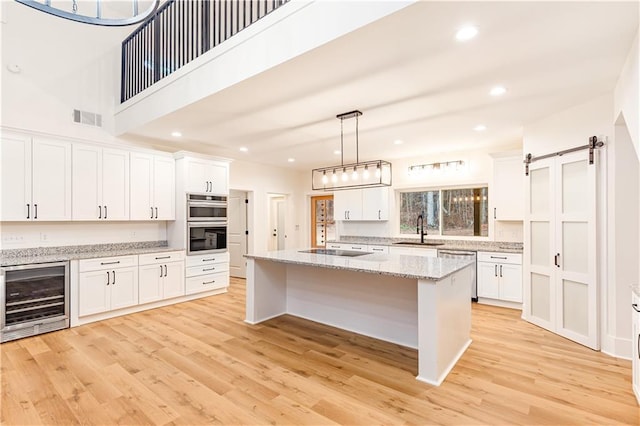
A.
x: 414, y: 82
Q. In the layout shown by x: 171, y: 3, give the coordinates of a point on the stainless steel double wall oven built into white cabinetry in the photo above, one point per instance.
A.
x: 206, y: 223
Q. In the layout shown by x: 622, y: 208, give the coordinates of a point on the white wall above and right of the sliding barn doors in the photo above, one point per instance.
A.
x: 573, y: 127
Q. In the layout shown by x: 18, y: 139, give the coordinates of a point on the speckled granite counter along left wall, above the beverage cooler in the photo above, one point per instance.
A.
x: 90, y: 251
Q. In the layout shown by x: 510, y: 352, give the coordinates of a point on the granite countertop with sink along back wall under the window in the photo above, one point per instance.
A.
x: 493, y: 246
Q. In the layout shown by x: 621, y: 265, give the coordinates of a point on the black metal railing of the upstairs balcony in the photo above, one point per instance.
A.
x: 179, y: 32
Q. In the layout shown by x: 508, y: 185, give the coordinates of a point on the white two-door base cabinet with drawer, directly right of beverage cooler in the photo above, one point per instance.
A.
x: 107, y: 284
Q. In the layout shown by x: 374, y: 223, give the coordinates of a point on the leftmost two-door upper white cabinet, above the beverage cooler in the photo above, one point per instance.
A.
x: 36, y: 179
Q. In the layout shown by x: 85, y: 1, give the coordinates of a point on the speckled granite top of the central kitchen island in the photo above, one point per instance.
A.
x: 414, y: 267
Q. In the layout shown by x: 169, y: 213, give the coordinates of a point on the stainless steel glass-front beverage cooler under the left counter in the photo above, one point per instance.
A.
x: 34, y: 299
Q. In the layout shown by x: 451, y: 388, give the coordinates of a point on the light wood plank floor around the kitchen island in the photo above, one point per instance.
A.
x: 198, y: 363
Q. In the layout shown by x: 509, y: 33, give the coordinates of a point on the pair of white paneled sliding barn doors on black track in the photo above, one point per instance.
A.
x: 560, y: 248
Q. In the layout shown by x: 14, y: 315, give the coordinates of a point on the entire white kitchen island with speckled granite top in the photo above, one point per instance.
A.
x: 418, y: 302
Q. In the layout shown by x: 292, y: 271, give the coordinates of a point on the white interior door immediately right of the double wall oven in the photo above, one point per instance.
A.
x: 237, y: 238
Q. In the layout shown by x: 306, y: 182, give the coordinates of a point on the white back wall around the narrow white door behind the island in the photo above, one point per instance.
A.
x: 262, y: 181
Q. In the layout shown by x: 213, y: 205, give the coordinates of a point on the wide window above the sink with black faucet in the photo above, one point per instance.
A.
x: 458, y: 212
